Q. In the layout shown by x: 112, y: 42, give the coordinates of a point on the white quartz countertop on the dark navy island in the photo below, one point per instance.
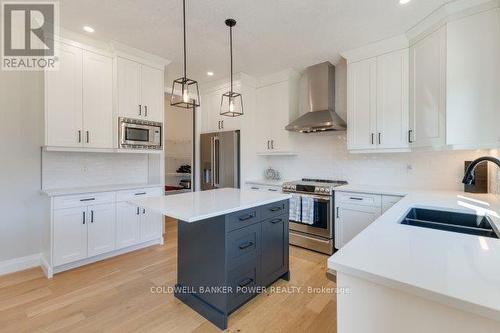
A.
x: 196, y: 206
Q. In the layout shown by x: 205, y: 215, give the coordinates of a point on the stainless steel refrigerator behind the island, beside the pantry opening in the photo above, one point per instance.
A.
x: 220, y: 160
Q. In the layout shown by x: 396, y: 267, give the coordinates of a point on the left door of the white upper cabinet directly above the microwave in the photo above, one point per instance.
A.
x: 129, y: 88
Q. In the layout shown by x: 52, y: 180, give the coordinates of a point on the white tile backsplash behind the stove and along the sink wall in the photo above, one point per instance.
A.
x: 325, y: 155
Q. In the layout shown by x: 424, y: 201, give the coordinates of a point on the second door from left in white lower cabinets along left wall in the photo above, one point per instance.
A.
x: 101, y: 229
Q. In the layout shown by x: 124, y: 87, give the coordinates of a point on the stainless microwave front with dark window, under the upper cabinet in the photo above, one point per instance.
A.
x: 140, y: 135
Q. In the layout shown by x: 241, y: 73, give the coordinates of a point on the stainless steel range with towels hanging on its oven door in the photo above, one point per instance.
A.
x: 317, y: 231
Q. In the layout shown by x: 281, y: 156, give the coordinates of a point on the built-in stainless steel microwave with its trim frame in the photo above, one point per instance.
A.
x: 139, y: 134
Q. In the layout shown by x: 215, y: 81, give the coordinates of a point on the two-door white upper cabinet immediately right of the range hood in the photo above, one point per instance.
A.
x: 377, y: 103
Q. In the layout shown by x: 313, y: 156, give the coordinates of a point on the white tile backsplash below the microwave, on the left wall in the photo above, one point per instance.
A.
x: 66, y: 169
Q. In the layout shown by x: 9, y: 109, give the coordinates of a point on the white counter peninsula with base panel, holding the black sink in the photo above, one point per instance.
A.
x: 403, y: 278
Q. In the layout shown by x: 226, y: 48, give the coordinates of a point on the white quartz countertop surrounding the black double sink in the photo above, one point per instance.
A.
x: 451, y: 268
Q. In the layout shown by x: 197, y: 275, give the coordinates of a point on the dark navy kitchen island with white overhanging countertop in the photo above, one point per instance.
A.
x: 231, y: 244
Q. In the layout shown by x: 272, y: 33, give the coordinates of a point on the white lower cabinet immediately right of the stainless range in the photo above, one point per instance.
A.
x: 356, y: 211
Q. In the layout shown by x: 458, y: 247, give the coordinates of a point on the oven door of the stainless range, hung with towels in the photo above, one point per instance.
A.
x: 322, y: 223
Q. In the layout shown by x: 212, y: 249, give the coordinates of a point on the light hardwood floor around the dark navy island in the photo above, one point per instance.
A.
x: 115, y: 296
